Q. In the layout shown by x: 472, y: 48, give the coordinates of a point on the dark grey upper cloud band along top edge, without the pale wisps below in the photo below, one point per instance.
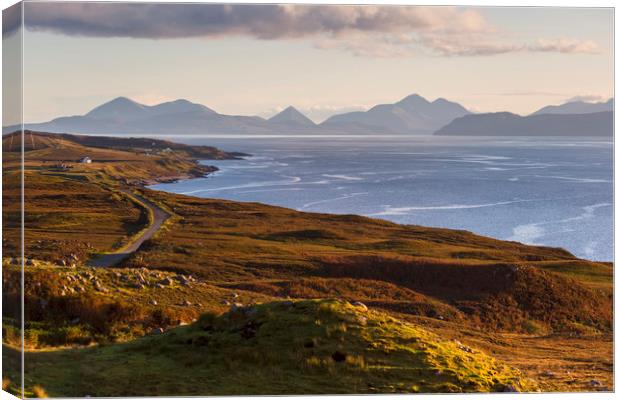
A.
x: 164, y: 21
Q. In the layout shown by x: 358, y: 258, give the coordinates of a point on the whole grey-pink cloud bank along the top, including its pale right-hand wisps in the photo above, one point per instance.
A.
x: 369, y: 31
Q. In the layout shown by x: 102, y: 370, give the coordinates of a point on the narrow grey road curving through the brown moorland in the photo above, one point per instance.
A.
x: 111, y: 259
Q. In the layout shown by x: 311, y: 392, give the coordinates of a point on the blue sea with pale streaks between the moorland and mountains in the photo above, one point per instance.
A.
x: 538, y: 191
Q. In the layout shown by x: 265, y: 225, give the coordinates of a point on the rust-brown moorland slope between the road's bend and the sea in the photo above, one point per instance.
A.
x: 458, y: 274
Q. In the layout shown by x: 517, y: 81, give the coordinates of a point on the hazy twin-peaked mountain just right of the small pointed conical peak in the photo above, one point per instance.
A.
x: 413, y: 114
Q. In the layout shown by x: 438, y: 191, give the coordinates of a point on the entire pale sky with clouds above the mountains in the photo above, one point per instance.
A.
x: 259, y: 59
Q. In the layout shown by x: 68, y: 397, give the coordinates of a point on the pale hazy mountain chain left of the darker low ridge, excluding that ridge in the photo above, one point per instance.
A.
x: 411, y: 115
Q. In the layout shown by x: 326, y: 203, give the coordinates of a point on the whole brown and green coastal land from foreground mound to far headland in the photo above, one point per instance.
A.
x: 439, y: 299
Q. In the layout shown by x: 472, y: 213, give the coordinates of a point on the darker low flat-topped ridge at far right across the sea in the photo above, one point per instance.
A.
x: 508, y: 124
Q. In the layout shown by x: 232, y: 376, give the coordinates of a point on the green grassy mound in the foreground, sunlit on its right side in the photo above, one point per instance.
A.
x: 300, y: 347
